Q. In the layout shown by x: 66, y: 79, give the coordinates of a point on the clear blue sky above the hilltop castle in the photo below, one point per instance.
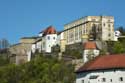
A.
x: 24, y: 18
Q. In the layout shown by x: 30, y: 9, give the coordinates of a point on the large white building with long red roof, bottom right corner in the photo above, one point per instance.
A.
x: 103, y: 69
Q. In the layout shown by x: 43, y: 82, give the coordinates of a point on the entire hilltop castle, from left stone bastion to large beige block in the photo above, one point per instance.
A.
x: 89, y: 28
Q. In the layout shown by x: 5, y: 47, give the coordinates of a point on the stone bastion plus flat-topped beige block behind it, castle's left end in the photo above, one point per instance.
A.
x: 21, y: 52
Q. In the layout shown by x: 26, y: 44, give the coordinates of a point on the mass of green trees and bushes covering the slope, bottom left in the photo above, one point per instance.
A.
x: 40, y: 70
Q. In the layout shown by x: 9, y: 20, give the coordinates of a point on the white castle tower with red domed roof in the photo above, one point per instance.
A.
x: 49, y: 39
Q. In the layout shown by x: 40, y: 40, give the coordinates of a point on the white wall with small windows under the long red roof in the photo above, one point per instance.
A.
x: 109, y: 75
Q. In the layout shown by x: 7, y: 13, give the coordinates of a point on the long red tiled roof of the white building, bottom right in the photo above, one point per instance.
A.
x: 104, y: 62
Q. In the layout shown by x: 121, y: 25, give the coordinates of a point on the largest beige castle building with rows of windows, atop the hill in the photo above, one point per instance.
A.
x: 94, y: 27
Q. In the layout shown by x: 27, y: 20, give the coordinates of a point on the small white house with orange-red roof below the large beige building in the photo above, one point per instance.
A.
x: 90, y: 51
